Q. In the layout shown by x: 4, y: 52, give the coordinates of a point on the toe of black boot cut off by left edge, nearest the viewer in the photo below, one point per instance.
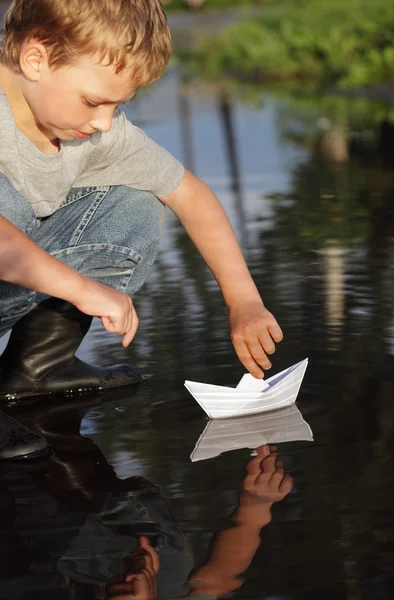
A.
x: 18, y: 442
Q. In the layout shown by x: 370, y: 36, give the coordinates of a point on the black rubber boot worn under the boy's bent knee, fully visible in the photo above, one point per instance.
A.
x: 39, y: 357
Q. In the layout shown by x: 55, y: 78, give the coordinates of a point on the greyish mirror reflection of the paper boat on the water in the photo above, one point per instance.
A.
x: 284, y: 425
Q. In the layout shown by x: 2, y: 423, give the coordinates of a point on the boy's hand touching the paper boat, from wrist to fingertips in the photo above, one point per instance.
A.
x: 254, y: 331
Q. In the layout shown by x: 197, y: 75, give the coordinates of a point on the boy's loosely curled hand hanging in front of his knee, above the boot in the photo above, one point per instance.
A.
x: 114, y: 308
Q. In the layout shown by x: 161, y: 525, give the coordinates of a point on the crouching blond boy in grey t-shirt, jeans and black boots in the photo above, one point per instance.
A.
x: 88, y: 187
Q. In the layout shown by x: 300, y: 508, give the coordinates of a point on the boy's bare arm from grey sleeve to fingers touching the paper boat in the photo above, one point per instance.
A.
x: 253, y: 328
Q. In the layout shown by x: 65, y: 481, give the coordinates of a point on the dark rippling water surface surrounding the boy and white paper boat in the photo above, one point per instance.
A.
x: 308, y: 185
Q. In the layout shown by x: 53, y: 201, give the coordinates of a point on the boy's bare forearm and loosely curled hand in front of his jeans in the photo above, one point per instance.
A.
x: 24, y: 263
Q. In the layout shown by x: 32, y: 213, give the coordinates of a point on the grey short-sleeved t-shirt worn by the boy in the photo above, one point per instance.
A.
x: 122, y: 156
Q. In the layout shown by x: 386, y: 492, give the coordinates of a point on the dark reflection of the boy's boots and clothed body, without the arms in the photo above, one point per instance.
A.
x: 67, y: 527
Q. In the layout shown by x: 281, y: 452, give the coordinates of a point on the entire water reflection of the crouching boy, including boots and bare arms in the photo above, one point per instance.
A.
x: 73, y: 529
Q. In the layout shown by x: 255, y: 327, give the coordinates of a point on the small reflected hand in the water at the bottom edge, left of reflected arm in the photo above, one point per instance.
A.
x: 139, y: 581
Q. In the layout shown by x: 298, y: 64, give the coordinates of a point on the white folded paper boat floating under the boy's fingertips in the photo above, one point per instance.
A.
x: 251, y: 395
